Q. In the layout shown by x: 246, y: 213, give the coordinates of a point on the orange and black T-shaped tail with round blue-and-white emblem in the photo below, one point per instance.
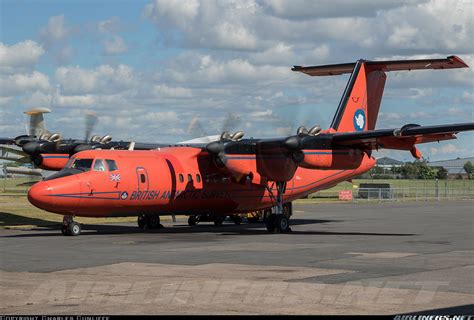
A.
x: 359, y: 106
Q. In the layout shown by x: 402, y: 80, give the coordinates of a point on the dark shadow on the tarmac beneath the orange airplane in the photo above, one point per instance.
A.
x: 227, y: 229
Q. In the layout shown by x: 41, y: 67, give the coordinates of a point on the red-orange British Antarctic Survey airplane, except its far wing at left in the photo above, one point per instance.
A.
x: 235, y: 175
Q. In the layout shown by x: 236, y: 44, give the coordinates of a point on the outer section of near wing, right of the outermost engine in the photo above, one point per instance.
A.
x: 403, y: 139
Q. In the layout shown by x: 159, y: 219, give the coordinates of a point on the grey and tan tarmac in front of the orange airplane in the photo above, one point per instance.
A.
x: 364, y: 258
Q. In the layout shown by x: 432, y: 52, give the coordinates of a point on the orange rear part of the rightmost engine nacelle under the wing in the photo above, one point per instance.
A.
x: 332, y: 159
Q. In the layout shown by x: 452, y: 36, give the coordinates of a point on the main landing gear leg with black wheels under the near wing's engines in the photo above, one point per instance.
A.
x: 277, y: 220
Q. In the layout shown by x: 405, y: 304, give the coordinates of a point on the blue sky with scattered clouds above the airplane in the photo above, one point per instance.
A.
x: 167, y: 71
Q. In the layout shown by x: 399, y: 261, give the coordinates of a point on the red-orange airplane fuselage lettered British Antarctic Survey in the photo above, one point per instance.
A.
x: 171, y: 181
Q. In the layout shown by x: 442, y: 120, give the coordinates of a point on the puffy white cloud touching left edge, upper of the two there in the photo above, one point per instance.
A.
x: 20, y: 56
